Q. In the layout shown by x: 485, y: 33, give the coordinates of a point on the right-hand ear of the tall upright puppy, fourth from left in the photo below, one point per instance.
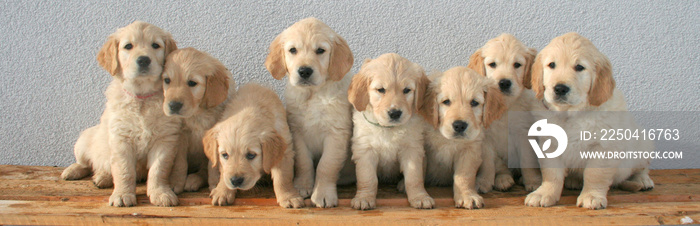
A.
x: 341, y: 59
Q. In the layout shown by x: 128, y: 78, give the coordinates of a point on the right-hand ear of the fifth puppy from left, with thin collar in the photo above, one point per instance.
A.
x: 425, y: 101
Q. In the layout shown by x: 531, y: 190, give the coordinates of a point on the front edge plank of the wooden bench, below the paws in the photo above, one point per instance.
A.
x: 41, y: 212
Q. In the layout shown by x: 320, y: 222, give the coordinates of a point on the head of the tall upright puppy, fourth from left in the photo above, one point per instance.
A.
x: 310, y: 52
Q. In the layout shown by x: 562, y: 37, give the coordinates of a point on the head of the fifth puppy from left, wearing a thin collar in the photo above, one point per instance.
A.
x: 393, y: 87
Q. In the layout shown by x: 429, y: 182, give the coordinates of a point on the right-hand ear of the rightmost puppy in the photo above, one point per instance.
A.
x: 603, y: 83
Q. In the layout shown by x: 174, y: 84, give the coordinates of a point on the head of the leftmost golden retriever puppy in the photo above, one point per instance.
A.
x: 136, y: 52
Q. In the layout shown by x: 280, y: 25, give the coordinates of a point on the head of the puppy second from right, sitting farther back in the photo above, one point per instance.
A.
x: 507, y: 61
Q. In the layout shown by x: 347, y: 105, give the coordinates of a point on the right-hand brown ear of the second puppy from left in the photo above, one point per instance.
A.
x: 217, y: 87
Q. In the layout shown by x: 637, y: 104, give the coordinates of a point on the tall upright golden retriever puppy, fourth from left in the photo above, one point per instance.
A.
x: 316, y: 60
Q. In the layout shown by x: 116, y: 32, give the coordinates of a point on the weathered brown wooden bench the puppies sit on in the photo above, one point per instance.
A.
x: 36, y: 195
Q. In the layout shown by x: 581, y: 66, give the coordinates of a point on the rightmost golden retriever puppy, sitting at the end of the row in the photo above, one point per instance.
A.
x: 575, y: 79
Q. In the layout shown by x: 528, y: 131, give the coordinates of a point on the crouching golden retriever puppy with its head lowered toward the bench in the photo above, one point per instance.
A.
x: 253, y: 139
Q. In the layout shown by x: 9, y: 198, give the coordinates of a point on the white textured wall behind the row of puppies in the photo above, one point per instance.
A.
x: 51, y: 85
